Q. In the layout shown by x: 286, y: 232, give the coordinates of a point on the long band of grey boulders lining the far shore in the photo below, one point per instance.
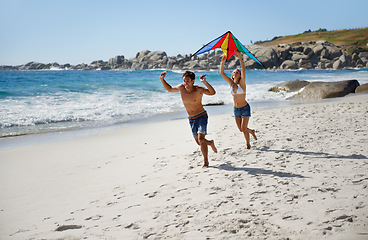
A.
x: 307, y: 55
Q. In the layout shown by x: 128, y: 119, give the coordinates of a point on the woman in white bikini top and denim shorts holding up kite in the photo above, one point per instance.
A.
x: 238, y: 90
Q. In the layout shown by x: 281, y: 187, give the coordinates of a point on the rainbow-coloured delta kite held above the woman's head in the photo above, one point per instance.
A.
x: 229, y: 44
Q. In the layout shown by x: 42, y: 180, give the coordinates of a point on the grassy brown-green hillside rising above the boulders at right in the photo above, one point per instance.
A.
x: 351, y: 40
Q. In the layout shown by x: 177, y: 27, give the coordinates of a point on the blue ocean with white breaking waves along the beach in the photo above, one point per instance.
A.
x: 33, y: 102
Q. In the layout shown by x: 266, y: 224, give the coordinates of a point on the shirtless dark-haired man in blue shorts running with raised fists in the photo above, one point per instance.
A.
x: 191, y: 96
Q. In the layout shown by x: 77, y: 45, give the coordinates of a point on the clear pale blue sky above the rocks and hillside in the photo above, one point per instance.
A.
x: 81, y: 31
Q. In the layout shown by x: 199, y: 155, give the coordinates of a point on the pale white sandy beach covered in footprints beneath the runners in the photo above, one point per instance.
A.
x: 305, y: 178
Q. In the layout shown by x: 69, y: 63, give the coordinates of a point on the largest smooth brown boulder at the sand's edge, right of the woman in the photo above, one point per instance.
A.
x: 321, y: 90
